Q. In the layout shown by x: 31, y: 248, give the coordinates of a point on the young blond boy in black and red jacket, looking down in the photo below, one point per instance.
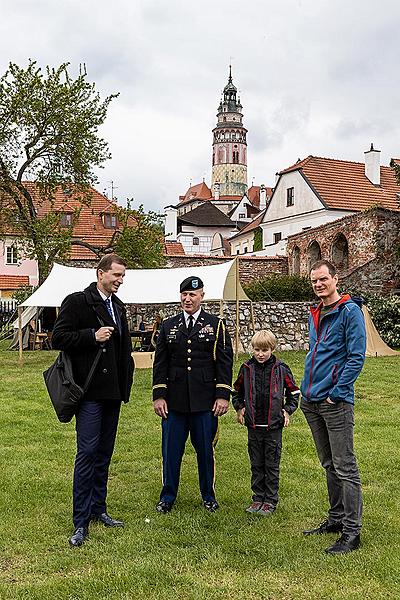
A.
x: 262, y: 383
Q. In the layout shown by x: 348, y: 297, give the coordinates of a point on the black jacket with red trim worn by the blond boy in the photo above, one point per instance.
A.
x: 281, y: 393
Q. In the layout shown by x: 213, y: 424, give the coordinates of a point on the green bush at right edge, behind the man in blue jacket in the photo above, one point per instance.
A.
x: 385, y: 313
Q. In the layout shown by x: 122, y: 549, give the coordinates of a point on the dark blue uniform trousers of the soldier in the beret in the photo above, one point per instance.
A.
x: 203, y: 427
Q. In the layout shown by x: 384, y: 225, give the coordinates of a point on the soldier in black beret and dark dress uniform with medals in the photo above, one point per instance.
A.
x: 192, y: 378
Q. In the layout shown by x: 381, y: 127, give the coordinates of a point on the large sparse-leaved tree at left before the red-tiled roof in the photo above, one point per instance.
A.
x: 49, y: 137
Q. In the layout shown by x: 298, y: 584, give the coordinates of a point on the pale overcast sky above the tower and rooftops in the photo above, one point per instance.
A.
x: 315, y: 77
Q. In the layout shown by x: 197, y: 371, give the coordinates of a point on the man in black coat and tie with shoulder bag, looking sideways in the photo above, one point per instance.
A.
x: 89, y: 320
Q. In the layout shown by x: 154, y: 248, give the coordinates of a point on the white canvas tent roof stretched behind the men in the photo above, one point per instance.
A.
x: 141, y: 286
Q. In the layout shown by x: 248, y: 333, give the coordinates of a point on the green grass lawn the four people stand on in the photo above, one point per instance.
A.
x: 189, y: 553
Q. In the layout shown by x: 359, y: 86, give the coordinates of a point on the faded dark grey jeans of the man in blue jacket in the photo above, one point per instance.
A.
x: 332, y: 428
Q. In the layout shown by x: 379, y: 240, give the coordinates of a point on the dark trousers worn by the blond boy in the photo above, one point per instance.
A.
x: 265, y: 447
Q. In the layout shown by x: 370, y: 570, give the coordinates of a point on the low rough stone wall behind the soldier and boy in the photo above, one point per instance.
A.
x: 287, y: 320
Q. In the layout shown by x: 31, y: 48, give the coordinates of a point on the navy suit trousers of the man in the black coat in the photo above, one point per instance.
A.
x: 96, y: 429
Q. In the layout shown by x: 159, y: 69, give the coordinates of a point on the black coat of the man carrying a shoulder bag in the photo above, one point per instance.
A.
x: 81, y: 315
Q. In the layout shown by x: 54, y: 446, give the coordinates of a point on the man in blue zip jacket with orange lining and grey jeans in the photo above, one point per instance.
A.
x: 333, y: 363
